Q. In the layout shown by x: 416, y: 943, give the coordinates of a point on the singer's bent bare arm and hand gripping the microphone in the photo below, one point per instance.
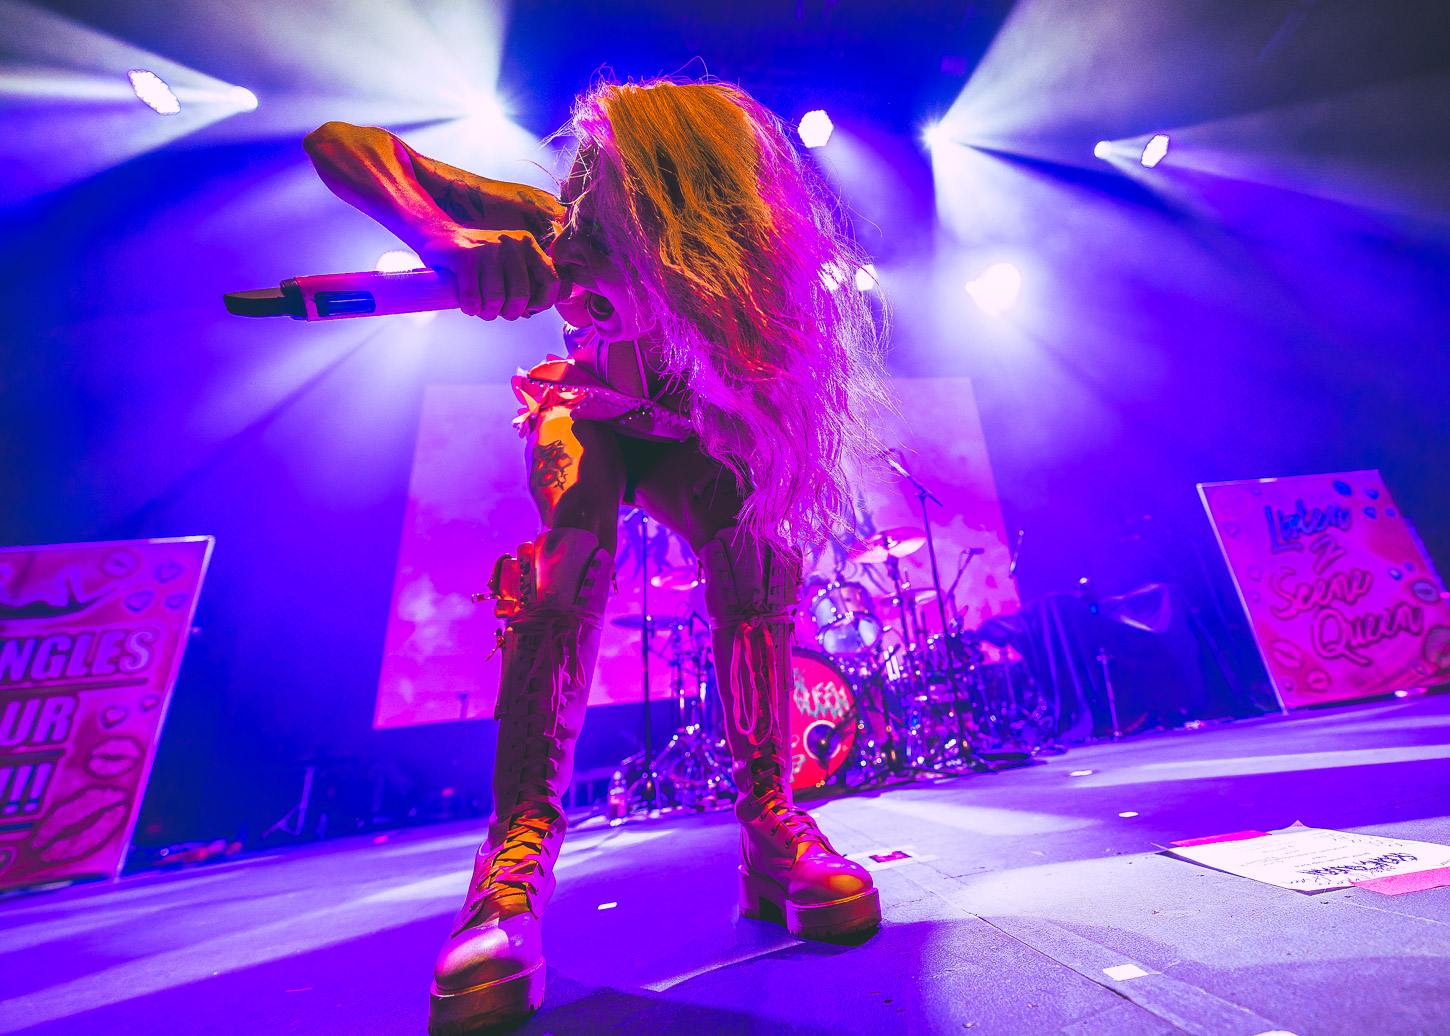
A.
x: 489, y: 233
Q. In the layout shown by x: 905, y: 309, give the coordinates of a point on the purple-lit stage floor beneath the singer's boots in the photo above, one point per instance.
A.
x: 1023, y: 887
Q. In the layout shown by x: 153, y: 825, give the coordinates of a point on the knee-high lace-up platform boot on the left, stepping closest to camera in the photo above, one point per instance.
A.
x: 553, y: 596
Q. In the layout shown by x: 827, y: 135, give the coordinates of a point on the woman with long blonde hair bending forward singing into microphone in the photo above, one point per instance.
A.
x: 724, y: 374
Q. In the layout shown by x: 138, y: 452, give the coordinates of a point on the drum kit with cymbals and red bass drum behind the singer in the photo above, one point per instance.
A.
x: 884, y: 700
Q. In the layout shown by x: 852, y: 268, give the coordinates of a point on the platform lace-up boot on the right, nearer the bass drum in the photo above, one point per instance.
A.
x: 788, y: 868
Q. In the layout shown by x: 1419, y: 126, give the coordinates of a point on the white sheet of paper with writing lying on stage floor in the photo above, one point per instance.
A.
x: 1310, y: 860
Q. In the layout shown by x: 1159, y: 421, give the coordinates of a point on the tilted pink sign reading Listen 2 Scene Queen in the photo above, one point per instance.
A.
x: 1341, y: 594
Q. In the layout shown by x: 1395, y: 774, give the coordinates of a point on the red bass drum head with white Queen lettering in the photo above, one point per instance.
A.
x: 823, y: 719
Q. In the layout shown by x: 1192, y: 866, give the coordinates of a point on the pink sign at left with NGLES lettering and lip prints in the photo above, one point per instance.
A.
x: 91, y: 644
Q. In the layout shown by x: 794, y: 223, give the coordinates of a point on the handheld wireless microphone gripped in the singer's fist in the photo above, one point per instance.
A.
x: 333, y: 297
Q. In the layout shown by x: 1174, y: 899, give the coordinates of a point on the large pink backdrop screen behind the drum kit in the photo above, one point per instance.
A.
x: 469, y: 504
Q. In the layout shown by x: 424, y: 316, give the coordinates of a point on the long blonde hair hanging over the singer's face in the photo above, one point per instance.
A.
x: 740, y: 250
